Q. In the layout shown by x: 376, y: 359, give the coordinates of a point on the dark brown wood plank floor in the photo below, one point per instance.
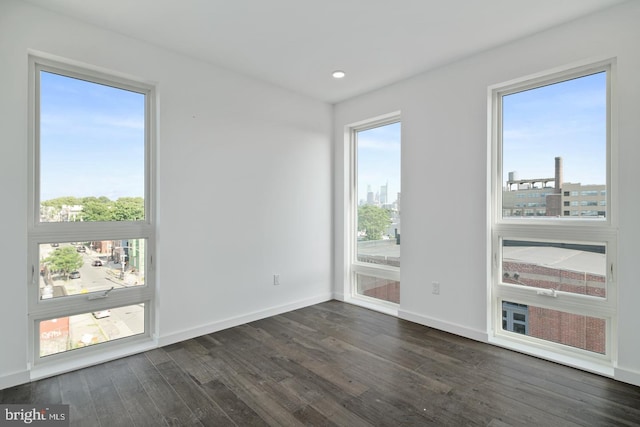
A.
x: 334, y: 364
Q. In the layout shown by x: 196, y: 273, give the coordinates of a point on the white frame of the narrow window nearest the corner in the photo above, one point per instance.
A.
x: 356, y: 267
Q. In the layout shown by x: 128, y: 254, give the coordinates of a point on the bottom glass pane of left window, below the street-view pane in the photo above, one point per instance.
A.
x: 82, y: 330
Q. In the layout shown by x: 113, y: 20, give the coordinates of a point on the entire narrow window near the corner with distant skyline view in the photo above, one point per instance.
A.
x: 376, y: 207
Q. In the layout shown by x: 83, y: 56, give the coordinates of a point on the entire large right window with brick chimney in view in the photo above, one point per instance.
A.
x: 553, y: 282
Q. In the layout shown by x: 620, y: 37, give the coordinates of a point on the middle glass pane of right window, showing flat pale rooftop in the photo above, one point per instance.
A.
x: 566, y: 267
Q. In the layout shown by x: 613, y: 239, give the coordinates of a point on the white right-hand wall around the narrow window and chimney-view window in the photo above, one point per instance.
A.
x: 444, y: 126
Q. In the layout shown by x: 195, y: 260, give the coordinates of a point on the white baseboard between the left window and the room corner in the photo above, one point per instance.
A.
x: 239, y: 320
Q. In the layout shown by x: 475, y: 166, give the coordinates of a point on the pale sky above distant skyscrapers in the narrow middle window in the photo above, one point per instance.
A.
x: 379, y: 160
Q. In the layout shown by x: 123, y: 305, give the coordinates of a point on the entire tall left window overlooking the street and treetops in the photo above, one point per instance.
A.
x: 91, y: 230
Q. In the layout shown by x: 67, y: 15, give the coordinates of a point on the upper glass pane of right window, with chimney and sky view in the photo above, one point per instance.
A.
x: 554, y: 141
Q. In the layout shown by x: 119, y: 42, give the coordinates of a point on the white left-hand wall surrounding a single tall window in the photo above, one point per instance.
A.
x: 244, y: 183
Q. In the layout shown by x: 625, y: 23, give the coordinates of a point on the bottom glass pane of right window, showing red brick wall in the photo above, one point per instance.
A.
x: 575, y: 330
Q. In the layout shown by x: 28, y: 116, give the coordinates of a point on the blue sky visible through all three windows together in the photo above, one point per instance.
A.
x: 92, y: 138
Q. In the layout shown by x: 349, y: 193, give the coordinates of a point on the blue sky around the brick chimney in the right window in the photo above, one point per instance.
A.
x: 567, y: 120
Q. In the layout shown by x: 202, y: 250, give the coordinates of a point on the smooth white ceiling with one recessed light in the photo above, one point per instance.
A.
x: 296, y: 44
